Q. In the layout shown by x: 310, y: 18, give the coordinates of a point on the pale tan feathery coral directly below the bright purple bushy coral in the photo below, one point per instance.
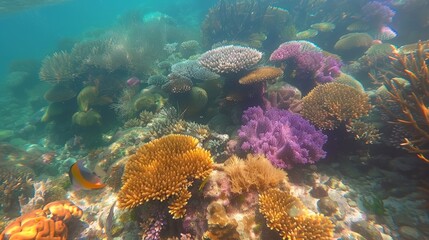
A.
x: 253, y: 173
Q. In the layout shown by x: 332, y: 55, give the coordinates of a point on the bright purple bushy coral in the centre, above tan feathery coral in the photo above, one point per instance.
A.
x: 284, y: 137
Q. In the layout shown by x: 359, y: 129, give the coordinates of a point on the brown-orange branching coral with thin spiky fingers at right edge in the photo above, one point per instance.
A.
x: 412, y: 98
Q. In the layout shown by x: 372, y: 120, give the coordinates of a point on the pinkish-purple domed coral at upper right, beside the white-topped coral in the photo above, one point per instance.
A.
x: 309, y: 62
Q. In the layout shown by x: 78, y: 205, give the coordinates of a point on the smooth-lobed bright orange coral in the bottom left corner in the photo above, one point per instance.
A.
x: 41, y: 225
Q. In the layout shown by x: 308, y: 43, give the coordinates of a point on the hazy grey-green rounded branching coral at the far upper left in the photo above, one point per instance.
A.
x: 59, y: 67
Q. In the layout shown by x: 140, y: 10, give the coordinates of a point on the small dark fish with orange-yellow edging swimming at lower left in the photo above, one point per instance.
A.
x: 82, y: 178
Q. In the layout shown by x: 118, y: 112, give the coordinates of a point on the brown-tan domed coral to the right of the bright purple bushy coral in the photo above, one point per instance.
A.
x: 328, y: 105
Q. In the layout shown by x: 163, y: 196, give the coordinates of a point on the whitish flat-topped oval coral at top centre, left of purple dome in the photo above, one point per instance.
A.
x: 230, y: 59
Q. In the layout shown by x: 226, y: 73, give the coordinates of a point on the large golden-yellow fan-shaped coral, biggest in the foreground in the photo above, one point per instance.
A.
x: 164, y: 169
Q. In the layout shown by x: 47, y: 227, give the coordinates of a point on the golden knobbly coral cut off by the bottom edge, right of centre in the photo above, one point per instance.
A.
x: 287, y: 215
